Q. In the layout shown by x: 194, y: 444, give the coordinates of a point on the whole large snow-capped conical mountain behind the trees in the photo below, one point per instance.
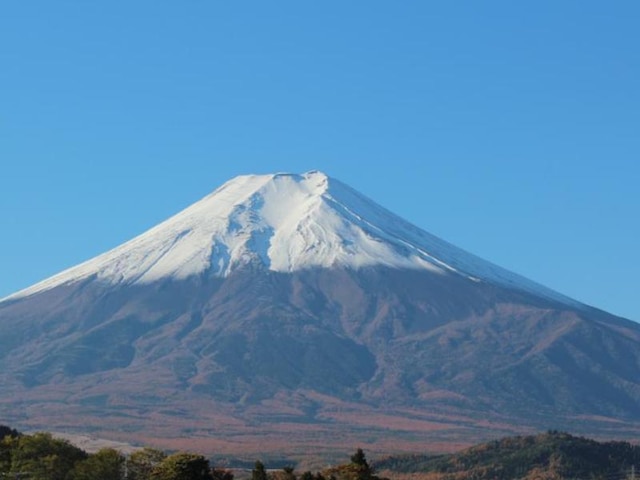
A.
x: 294, y: 309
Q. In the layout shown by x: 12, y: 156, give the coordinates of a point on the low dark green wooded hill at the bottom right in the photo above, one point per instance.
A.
x: 553, y: 455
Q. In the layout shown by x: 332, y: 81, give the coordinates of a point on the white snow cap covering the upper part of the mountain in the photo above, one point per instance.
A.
x: 287, y: 222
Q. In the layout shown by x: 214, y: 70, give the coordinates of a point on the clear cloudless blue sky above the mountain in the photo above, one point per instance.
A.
x: 511, y: 129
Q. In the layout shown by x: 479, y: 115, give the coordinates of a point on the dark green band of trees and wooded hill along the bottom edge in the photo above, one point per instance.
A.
x: 548, y: 456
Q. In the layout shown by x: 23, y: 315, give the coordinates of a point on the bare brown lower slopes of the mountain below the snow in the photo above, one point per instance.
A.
x: 386, y: 357
